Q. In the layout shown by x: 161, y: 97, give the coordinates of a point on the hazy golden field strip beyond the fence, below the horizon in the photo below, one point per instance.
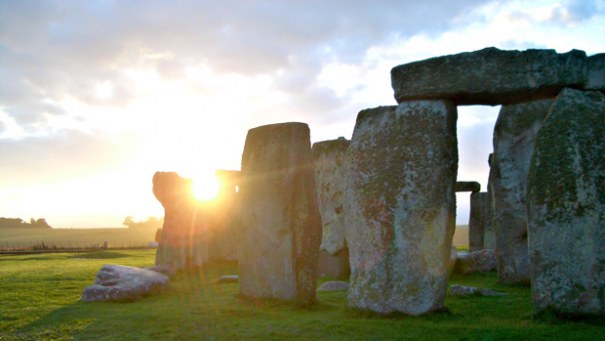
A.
x: 19, y: 238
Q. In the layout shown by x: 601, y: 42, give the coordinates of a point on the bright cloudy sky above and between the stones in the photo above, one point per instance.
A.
x: 95, y: 96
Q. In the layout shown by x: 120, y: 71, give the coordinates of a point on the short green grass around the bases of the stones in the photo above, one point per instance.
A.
x: 40, y: 300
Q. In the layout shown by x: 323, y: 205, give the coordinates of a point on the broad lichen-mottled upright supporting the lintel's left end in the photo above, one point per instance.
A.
x: 400, y: 206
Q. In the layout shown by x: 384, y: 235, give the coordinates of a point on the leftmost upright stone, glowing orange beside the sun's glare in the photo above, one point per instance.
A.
x: 184, y: 239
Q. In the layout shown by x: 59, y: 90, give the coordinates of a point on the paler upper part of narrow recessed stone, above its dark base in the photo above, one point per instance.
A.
x: 329, y: 159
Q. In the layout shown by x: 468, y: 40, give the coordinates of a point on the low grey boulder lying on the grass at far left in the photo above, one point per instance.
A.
x: 124, y: 283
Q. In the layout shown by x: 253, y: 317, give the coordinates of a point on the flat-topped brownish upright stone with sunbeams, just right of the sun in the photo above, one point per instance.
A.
x: 281, y: 227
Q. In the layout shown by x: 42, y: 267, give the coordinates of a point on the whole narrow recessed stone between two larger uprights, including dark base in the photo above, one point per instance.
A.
x: 329, y: 160
